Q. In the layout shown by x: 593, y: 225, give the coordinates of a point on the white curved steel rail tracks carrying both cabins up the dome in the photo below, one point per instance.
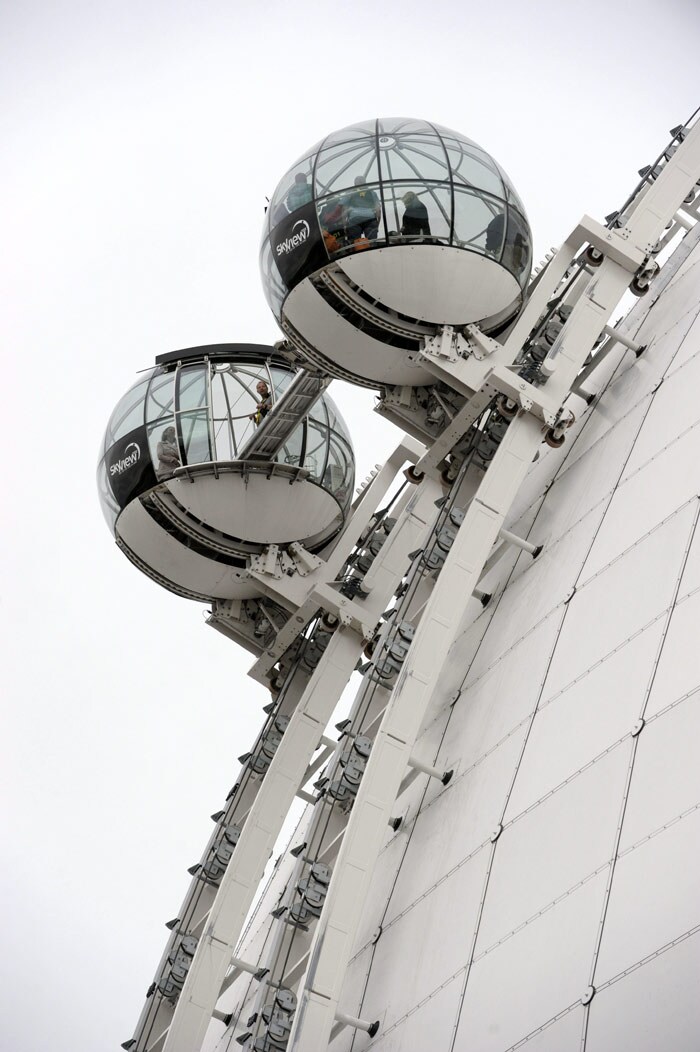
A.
x: 424, y: 564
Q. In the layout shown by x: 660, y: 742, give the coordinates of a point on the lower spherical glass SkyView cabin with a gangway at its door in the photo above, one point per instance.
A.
x: 185, y: 487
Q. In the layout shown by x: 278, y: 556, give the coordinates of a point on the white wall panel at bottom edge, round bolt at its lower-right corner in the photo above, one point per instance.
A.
x: 533, y: 977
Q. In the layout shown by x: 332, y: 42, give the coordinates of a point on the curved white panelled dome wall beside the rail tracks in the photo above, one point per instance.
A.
x: 549, y: 898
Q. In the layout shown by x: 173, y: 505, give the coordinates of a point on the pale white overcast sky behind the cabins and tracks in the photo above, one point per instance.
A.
x: 141, y: 144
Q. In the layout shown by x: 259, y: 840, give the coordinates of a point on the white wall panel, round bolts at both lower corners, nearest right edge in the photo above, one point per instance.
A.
x: 589, y: 718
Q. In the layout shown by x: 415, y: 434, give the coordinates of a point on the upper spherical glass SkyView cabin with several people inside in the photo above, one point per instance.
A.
x: 384, y: 232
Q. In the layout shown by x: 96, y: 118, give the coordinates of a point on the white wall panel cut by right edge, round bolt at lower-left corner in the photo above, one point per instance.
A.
x: 654, y: 898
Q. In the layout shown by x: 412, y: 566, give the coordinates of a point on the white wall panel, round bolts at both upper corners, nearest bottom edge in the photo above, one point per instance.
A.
x: 582, y: 819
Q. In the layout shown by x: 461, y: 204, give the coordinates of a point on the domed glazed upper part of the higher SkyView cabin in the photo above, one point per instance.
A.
x: 352, y: 194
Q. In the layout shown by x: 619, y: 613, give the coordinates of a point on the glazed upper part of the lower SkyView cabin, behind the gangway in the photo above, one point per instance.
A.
x: 208, y: 412
